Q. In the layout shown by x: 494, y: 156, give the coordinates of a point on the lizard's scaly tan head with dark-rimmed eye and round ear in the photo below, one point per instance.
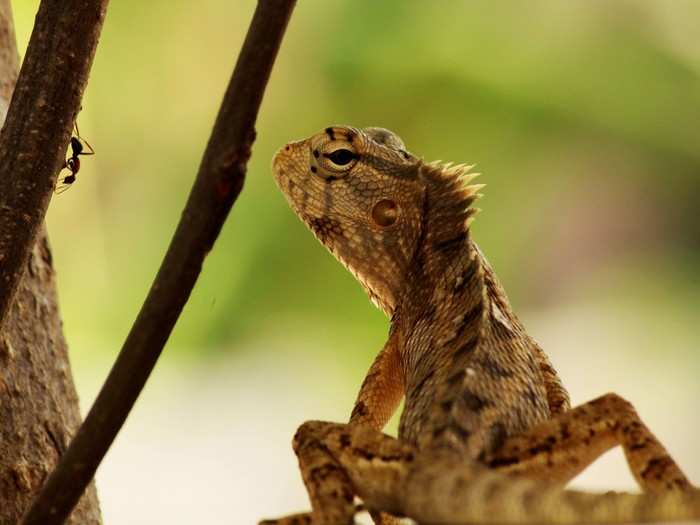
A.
x: 366, y: 199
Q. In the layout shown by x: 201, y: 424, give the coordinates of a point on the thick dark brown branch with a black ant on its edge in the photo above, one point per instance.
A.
x: 39, y: 122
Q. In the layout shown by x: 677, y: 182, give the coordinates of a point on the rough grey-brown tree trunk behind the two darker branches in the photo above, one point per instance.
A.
x: 38, y: 404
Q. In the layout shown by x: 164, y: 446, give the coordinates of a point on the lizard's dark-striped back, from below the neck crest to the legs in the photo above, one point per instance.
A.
x: 462, y: 351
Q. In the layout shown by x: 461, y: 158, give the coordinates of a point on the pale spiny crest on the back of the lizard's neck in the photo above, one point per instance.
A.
x: 449, y: 206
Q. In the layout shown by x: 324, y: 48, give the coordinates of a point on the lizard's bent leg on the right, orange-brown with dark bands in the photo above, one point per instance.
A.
x: 560, y: 448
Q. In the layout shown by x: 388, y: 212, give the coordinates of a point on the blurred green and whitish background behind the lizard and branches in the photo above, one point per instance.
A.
x: 584, y: 117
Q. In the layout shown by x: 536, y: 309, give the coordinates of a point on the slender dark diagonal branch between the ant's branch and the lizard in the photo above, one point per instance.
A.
x: 218, y: 183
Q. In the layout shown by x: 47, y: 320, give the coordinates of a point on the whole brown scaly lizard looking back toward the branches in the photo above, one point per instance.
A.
x: 487, y: 434
